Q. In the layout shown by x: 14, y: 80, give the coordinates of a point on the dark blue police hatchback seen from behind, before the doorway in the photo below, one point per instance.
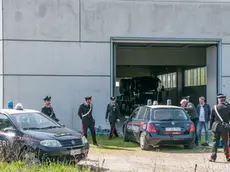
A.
x: 159, y: 125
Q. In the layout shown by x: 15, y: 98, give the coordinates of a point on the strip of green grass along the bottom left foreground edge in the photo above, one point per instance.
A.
x: 22, y: 167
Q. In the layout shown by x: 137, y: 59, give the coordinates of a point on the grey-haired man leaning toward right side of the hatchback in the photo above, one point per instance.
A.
x: 192, y: 111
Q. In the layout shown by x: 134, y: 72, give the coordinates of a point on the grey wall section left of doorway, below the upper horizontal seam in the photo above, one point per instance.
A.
x: 57, y: 69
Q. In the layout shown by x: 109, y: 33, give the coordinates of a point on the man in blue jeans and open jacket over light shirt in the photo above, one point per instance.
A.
x: 204, y: 112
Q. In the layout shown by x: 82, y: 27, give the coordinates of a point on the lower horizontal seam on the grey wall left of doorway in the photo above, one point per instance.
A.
x: 54, y: 75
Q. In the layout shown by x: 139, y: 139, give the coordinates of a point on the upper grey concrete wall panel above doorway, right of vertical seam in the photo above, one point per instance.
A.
x: 102, y: 19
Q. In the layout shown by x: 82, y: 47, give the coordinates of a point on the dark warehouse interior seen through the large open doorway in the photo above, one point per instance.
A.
x: 172, y: 64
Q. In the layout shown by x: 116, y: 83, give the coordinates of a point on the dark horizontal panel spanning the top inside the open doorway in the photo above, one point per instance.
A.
x: 156, y: 56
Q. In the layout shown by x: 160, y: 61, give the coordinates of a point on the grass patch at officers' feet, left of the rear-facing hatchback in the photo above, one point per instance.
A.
x: 115, y: 142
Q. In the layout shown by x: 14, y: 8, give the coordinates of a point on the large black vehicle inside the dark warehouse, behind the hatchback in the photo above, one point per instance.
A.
x: 137, y: 90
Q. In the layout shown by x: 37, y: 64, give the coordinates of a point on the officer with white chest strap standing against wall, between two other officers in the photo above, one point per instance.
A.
x: 85, y: 113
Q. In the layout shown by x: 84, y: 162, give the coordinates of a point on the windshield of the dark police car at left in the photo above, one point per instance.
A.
x: 33, y: 120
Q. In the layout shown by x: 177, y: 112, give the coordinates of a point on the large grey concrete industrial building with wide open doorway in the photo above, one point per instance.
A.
x: 72, y: 48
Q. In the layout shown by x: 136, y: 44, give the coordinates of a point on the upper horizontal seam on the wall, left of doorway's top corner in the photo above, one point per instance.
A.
x: 58, y: 41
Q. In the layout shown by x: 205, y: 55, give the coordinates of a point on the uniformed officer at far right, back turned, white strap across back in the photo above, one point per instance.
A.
x: 220, y: 128
